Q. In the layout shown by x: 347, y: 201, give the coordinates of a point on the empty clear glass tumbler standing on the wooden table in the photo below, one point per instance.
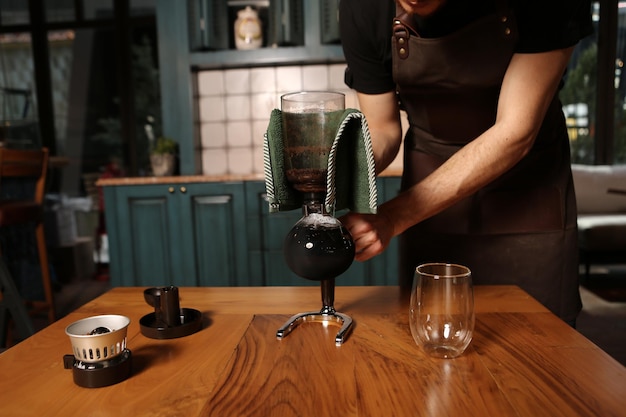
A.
x: 441, y: 314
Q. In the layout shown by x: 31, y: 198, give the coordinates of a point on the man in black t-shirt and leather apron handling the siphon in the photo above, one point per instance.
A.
x: 487, y: 179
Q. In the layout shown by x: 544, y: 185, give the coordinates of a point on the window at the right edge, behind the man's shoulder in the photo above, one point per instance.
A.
x: 594, y: 96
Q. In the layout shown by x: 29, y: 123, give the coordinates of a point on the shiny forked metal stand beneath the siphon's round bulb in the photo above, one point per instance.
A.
x: 326, y: 314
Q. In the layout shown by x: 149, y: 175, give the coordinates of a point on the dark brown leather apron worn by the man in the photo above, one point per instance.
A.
x: 520, y: 229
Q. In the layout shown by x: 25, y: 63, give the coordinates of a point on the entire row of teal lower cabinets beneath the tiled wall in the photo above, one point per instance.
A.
x: 189, y: 233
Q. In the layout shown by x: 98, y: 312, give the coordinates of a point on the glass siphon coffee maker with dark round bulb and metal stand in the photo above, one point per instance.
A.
x: 318, y: 247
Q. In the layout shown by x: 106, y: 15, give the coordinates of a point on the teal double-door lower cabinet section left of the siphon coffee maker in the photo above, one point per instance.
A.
x: 184, y: 234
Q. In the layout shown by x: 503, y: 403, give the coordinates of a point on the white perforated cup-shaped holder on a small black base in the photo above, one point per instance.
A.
x: 92, y: 348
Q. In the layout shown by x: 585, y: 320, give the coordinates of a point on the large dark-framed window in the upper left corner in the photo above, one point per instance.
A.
x: 91, y: 68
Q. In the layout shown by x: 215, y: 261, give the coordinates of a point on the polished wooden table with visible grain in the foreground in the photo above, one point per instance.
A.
x: 523, y: 361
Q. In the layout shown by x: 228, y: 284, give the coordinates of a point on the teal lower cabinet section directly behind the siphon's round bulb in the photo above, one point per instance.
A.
x: 266, y: 232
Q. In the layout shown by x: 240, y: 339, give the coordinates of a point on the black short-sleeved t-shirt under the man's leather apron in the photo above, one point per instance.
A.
x: 366, y: 31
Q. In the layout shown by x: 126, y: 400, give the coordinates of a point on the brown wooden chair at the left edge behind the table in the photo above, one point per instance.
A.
x: 30, y: 166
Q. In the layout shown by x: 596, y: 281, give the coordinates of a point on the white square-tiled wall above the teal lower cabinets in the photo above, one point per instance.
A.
x: 235, y: 106
